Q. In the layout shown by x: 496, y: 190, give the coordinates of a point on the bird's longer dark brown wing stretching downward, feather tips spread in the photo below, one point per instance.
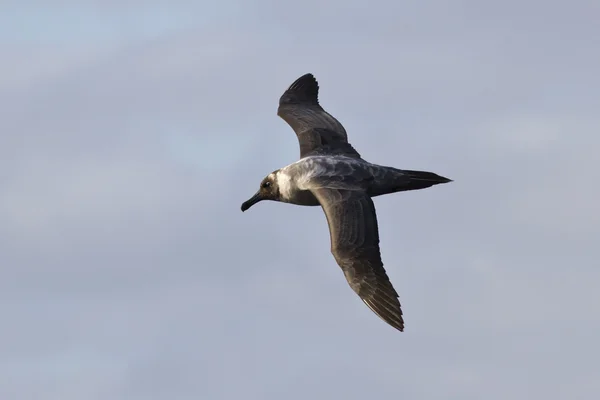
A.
x: 355, y: 245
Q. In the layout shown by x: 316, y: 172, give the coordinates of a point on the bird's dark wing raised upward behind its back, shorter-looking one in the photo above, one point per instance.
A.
x: 318, y: 132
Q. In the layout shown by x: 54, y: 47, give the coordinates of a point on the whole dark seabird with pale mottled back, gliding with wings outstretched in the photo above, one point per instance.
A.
x: 332, y: 174
